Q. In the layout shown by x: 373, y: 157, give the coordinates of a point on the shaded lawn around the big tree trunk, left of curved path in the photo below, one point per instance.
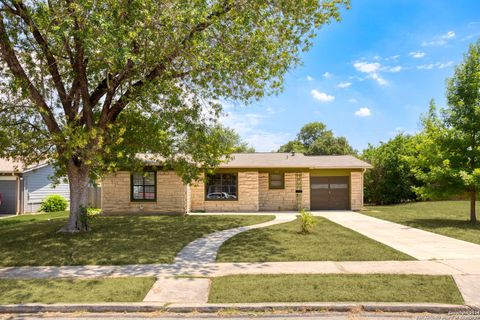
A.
x: 114, y: 240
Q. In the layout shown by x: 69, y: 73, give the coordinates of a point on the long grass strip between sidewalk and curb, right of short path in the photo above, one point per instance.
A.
x: 333, y: 288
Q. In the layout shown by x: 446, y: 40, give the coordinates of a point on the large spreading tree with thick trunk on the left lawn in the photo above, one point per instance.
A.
x: 76, y: 75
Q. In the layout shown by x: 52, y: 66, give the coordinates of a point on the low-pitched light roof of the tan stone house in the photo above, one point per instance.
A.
x: 292, y: 160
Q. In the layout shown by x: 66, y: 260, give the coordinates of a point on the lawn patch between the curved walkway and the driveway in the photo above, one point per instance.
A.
x: 283, y: 242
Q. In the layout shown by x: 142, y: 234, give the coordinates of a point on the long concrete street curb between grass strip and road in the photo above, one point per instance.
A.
x: 247, y: 307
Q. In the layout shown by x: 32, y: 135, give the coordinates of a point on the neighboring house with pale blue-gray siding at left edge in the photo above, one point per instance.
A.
x: 22, y: 188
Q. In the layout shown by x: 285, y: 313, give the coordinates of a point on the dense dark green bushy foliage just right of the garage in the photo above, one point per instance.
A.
x: 391, y: 179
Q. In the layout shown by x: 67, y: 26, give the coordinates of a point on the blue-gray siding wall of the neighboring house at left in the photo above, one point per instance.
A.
x: 38, y: 186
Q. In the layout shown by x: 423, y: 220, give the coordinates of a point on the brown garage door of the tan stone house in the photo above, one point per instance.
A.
x: 329, y: 193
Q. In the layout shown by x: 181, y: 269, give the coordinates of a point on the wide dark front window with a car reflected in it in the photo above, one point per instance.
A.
x: 221, y: 186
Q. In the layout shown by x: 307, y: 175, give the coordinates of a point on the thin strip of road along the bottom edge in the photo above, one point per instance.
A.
x: 306, y: 316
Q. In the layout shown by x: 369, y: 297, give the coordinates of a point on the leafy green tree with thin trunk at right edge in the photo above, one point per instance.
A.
x: 448, y: 147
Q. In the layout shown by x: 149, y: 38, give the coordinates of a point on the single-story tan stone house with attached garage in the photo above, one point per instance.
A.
x: 247, y: 182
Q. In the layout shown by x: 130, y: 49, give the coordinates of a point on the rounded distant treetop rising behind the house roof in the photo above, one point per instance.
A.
x: 315, y: 139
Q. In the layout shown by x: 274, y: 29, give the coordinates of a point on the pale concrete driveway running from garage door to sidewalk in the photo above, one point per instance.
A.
x: 420, y: 244
